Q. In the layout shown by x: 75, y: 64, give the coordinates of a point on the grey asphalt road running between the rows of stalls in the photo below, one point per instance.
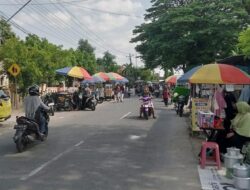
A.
x: 107, y: 149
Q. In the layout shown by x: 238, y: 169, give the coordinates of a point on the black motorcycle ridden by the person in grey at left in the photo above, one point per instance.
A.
x: 27, y: 131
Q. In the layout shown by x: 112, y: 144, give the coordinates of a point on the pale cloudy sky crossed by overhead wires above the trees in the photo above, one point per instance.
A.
x: 106, y: 24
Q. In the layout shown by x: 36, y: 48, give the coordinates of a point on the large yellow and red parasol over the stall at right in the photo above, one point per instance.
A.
x: 219, y: 74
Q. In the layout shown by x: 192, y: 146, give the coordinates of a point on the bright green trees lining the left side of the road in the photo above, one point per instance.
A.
x: 39, y: 59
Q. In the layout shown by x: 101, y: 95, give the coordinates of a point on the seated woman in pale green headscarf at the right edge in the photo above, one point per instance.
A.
x: 240, y: 129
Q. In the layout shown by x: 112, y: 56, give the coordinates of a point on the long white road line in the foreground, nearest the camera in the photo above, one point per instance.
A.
x: 35, y: 171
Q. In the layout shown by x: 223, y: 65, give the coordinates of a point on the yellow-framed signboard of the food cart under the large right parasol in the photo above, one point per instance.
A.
x: 198, y: 104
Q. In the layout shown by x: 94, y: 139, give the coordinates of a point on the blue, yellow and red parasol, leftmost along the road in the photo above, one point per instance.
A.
x: 77, y: 72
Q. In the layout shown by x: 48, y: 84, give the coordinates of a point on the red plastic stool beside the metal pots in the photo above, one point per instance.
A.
x: 216, y: 154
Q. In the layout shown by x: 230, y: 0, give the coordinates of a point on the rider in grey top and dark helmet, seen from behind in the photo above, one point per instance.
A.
x: 32, y: 106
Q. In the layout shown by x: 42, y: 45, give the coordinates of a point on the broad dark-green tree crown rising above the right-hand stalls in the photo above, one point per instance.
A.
x: 185, y: 33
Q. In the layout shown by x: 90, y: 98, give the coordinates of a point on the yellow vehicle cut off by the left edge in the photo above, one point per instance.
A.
x: 5, y: 105
